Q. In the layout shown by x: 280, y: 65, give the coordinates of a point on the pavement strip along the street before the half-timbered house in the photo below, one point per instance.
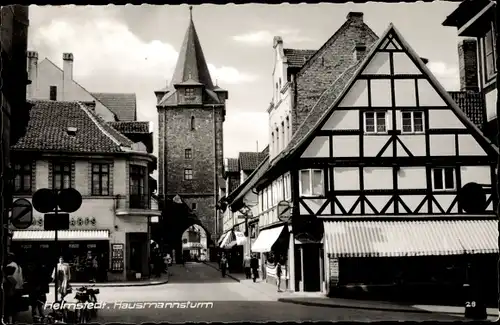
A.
x: 378, y: 305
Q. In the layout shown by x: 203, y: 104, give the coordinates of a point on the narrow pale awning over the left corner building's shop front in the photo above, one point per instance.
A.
x: 63, y: 235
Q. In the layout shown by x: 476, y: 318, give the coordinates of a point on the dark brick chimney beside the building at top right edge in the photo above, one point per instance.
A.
x: 467, y: 65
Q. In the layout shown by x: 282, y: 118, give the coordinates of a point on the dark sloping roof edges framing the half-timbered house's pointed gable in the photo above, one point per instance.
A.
x: 358, y: 68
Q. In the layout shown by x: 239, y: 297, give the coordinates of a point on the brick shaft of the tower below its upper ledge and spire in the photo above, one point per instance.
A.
x: 175, y: 135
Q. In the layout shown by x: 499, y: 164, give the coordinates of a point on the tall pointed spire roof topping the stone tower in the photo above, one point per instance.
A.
x: 191, y: 65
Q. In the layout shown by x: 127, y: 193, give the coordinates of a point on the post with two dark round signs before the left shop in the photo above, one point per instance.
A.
x: 46, y: 200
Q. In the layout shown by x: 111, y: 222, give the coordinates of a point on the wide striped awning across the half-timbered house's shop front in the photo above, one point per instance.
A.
x: 410, y: 238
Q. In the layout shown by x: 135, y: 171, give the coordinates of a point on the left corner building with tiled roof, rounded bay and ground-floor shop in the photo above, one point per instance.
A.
x: 111, y: 173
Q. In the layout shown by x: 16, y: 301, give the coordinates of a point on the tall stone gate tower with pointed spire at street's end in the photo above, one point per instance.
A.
x: 191, y: 112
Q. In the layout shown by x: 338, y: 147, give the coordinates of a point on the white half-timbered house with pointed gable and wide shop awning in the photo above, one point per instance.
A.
x: 389, y: 179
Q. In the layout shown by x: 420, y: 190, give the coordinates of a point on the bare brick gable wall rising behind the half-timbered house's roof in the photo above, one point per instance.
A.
x: 331, y: 60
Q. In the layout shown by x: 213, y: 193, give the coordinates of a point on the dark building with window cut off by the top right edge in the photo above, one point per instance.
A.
x: 475, y: 22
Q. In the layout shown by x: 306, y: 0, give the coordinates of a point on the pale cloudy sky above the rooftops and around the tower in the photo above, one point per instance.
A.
x: 133, y: 49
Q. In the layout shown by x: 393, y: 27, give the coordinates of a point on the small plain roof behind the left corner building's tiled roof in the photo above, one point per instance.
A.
x: 123, y: 105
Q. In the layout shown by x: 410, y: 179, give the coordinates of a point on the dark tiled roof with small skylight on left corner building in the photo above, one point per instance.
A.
x: 48, y: 130
